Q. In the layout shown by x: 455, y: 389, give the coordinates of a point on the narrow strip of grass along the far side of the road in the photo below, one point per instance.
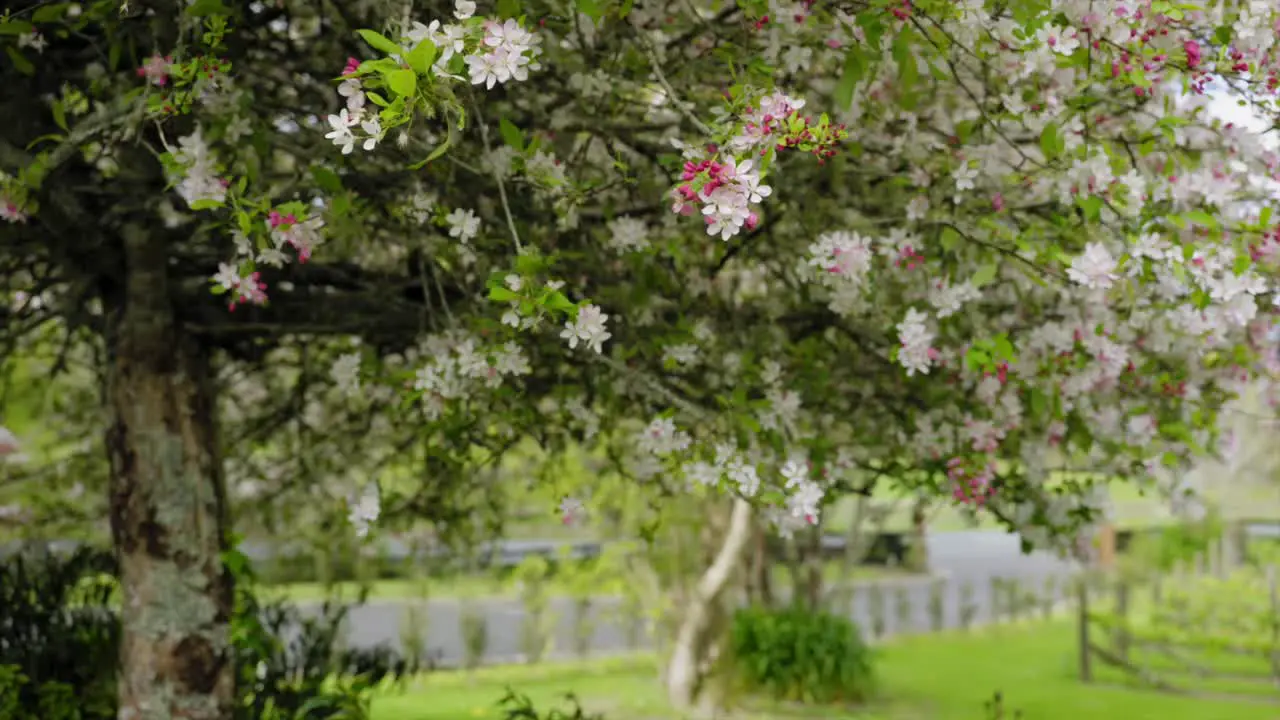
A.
x: 492, y: 587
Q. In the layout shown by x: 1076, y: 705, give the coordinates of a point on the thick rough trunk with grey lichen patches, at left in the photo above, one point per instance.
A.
x: 167, y: 505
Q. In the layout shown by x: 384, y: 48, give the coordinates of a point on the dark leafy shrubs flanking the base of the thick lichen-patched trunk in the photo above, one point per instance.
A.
x: 60, y: 642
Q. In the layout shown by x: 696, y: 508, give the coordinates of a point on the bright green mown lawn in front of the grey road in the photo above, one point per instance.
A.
x: 944, y: 677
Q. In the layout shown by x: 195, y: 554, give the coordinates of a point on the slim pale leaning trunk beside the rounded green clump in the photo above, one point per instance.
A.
x: 687, y: 669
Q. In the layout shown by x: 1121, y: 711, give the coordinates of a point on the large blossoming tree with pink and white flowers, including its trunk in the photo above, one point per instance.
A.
x: 956, y: 244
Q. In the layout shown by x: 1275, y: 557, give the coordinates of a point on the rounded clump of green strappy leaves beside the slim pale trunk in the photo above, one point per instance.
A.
x: 797, y: 655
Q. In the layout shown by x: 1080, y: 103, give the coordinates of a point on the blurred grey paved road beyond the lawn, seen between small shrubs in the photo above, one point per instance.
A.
x: 963, y: 559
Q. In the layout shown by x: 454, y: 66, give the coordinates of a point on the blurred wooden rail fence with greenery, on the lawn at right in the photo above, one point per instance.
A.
x: 1200, y: 631
